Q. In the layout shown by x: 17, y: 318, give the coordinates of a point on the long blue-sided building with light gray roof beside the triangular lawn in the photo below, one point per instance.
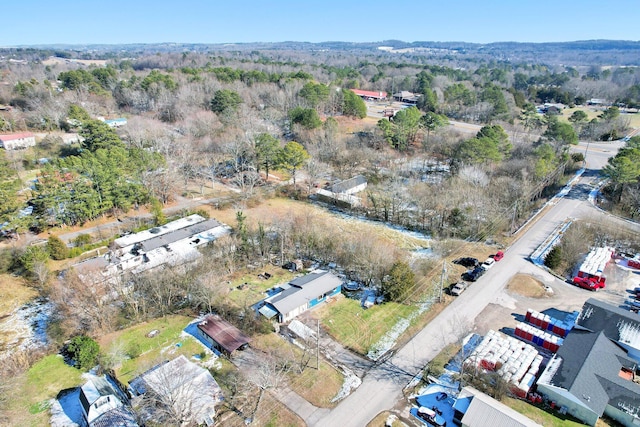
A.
x: 303, y: 293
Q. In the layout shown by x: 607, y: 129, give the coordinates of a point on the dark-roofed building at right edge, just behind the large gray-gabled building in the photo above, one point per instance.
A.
x: 618, y: 324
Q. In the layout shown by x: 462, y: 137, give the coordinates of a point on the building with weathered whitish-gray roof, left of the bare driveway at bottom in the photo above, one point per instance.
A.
x: 189, y: 389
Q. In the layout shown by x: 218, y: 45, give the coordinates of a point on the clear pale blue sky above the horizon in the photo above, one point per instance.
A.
x: 28, y: 22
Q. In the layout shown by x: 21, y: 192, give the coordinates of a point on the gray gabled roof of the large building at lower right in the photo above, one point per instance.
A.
x: 589, y: 369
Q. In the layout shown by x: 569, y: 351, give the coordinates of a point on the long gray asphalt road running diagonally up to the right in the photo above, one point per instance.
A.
x: 382, y: 386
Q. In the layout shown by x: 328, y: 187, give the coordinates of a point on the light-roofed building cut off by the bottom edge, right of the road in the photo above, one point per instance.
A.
x: 473, y: 408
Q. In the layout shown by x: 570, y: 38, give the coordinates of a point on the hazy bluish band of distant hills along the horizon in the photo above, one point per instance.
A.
x: 585, y: 52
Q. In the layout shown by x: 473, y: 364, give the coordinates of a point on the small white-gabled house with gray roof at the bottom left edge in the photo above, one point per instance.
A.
x: 104, y: 404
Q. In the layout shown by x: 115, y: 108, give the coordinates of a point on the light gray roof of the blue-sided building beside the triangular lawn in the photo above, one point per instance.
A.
x: 303, y: 289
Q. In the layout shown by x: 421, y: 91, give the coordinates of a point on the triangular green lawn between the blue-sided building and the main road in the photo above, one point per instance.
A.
x: 357, y: 328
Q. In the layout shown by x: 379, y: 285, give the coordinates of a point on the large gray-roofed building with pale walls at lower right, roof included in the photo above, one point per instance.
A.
x: 591, y: 376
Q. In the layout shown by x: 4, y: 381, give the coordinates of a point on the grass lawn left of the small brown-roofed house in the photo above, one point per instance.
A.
x: 123, y: 345
